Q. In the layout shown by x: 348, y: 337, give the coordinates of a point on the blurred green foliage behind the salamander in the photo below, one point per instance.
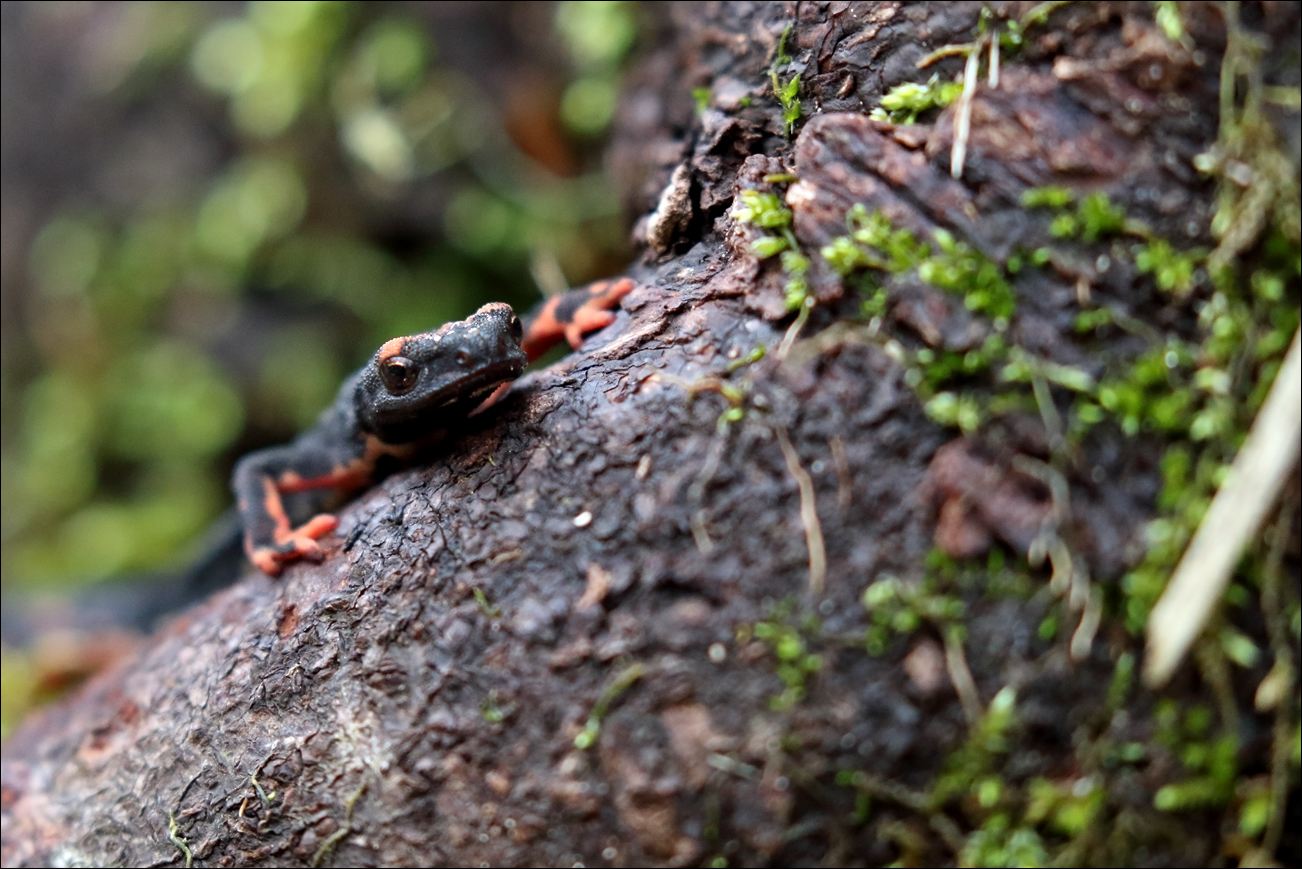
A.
x: 363, y: 182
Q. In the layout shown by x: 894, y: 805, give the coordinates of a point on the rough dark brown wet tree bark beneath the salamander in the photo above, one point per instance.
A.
x: 620, y: 621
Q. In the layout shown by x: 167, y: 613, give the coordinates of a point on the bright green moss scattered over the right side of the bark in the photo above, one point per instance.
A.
x: 1192, y: 393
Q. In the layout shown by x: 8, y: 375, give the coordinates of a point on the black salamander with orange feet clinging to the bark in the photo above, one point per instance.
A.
x: 400, y: 403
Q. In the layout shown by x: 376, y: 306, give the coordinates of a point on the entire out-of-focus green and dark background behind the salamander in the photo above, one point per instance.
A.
x: 213, y: 213
